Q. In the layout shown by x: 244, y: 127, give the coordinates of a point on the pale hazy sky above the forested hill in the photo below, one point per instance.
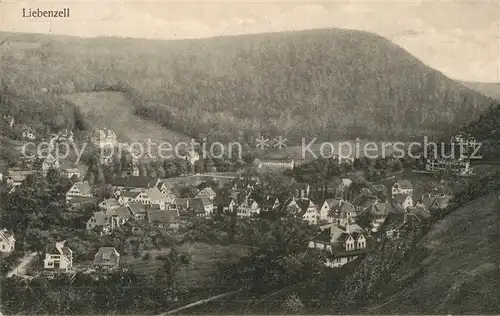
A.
x: 459, y: 38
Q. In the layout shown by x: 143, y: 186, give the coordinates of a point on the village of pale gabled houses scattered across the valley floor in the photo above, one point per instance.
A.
x: 349, y: 222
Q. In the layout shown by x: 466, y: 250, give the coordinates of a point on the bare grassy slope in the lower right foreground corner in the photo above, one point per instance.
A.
x: 453, y: 268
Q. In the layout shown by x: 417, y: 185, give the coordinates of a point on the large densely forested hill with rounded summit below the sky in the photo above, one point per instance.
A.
x: 330, y: 83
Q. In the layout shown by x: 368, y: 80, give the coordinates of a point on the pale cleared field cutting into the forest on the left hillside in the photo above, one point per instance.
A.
x: 113, y: 110
